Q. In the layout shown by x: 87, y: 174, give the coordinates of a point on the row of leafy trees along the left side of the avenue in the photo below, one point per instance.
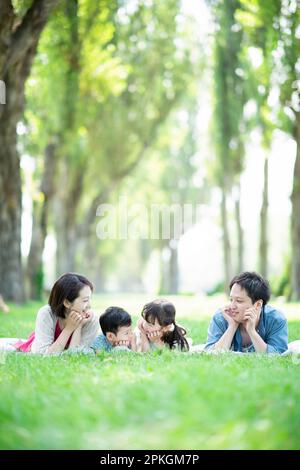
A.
x: 104, y: 81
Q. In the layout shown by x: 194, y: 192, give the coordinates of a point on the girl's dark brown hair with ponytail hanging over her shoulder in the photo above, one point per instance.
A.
x: 164, y: 312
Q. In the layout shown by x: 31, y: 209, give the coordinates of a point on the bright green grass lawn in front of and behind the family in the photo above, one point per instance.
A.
x: 160, y: 400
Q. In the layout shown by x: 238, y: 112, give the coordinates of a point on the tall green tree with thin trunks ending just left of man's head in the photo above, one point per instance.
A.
x: 228, y: 118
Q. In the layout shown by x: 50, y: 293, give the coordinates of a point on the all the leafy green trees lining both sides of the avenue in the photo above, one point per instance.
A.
x: 111, y: 91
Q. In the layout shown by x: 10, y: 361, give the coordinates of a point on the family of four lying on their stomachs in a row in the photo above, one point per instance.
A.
x: 246, y: 324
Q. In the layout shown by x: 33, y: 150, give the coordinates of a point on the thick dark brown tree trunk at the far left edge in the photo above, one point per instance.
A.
x: 18, y: 43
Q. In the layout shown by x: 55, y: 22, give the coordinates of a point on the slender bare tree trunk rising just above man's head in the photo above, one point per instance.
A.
x: 263, y: 242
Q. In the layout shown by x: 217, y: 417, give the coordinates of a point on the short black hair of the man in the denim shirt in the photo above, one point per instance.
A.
x: 255, y: 285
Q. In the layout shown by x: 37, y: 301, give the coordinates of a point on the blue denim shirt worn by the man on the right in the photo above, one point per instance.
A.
x: 272, y: 328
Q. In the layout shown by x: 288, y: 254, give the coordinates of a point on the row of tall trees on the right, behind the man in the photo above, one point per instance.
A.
x: 272, y: 28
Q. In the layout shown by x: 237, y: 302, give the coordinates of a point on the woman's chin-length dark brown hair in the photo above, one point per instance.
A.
x: 67, y: 287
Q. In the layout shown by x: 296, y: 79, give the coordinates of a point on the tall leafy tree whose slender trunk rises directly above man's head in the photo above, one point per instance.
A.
x: 257, y: 20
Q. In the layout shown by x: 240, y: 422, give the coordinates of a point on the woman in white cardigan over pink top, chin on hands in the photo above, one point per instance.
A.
x: 65, y: 323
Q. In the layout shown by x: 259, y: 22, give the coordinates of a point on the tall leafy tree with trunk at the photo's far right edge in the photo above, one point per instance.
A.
x: 275, y: 25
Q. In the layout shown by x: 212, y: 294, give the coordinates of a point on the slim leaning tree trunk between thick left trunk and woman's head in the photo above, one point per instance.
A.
x: 35, y: 270
